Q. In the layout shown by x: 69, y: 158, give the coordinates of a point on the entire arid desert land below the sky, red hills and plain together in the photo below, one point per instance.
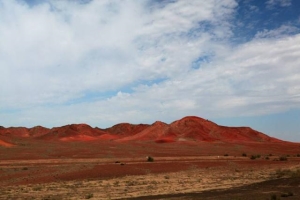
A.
x: 193, y: 158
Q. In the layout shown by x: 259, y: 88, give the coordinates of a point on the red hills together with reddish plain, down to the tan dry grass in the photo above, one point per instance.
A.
x: 78, y: 152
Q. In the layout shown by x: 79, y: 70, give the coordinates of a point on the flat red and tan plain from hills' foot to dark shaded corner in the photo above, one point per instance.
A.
x: 36, y: 169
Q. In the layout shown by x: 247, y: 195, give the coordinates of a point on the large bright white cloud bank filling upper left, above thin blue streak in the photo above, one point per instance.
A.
x: 54, y: 52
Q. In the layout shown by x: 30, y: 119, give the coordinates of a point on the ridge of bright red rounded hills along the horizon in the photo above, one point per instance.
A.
x: 187, y: 129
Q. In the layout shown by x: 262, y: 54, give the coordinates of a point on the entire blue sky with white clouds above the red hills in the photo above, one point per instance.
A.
x: 234, y: 62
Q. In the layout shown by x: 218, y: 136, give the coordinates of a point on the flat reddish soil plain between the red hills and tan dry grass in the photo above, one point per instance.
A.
x: 48, y: 161
